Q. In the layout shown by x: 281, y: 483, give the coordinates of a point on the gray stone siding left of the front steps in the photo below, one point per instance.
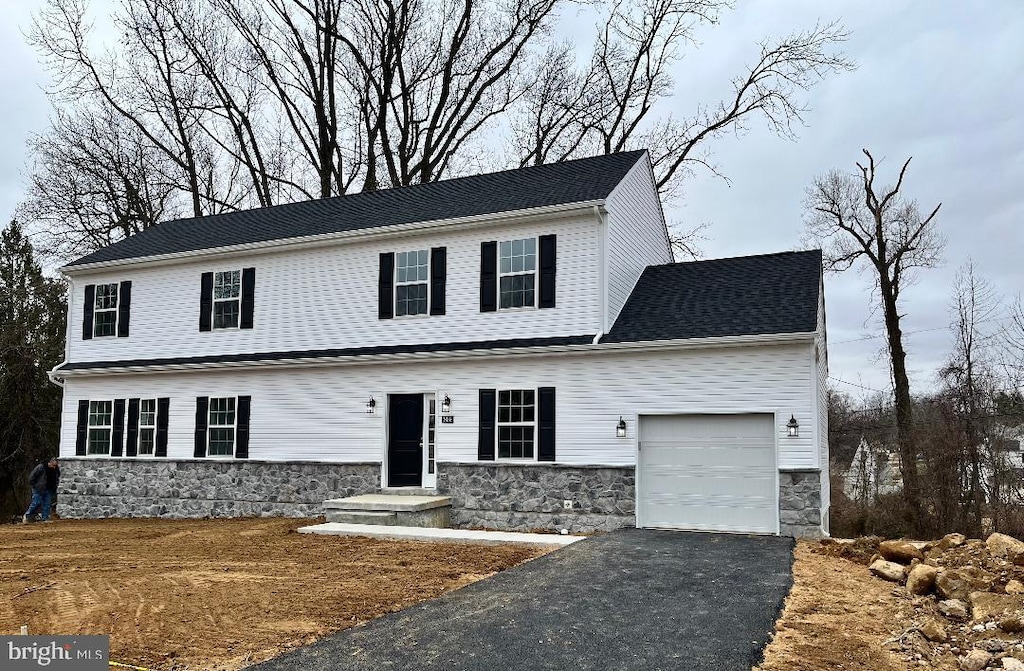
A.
x: 122, y: 488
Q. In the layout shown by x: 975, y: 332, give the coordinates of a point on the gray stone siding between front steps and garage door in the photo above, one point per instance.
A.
x: 531, y: 496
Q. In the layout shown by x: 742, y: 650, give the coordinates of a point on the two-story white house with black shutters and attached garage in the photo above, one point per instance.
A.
x: 521, y: 342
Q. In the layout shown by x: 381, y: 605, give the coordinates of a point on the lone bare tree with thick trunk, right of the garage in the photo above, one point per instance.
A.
x: 860, y: 222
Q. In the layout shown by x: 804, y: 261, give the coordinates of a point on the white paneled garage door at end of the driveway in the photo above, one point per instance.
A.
x: 708, y: 473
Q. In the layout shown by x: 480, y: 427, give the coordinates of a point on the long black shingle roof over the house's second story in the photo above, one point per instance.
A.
x: 556, y: 184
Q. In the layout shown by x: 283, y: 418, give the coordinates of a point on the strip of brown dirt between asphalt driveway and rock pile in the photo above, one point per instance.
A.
x: 837, y: 617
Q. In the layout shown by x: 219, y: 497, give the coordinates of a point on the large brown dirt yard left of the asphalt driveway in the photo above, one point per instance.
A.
x: 219, y: 595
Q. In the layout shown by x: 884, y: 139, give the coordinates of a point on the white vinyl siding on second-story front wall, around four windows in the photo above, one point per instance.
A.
x: 327, y: 298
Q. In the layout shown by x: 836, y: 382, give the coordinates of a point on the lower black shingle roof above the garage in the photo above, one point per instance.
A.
x: 747, y: 296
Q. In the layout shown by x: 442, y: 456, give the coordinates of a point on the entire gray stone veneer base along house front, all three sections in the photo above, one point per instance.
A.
x: 521, y: 497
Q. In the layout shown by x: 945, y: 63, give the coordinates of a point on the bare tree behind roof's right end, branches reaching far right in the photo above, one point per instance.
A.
x: 613, y: 104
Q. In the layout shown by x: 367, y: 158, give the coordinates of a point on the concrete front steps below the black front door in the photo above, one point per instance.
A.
x: 406, y: 510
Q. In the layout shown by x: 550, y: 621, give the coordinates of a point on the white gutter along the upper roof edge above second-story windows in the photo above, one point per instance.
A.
x: 343, y: 237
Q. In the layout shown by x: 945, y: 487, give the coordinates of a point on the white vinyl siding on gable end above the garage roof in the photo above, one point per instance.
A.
x: 637, y: 235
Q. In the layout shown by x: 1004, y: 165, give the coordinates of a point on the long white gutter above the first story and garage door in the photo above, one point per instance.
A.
x: 364, y: 360
